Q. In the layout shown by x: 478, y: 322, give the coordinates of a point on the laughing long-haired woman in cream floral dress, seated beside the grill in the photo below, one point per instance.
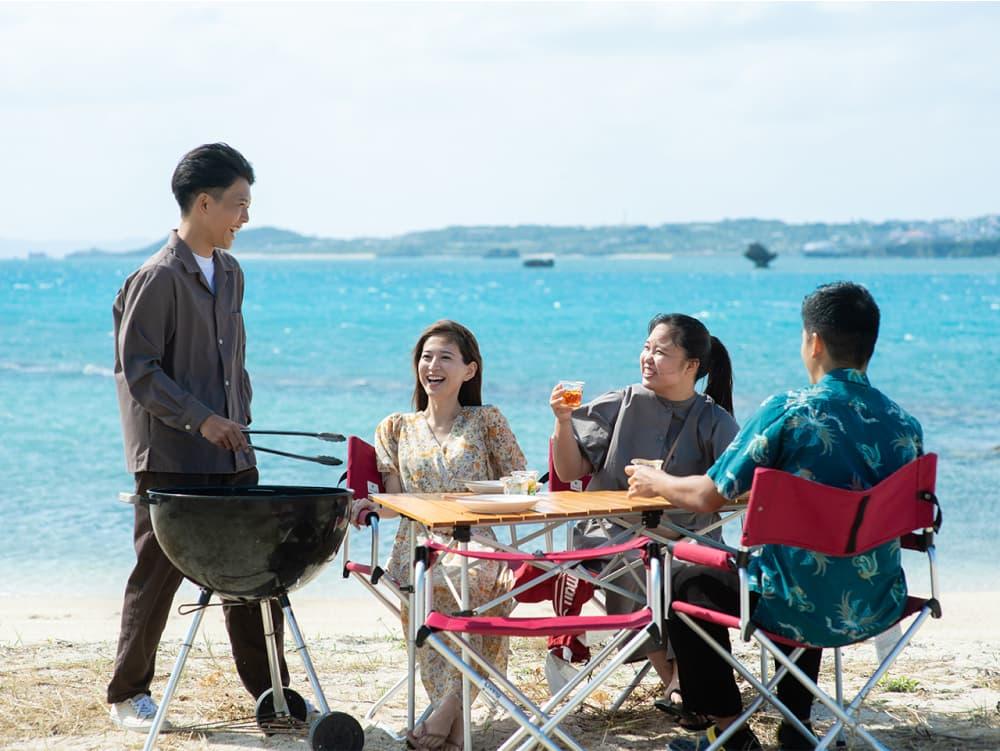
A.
x: 450, y: 437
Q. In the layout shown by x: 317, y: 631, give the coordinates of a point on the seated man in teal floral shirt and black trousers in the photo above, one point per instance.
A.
x: 839, y: 431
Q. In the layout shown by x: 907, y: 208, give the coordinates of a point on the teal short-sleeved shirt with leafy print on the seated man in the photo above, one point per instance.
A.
x: 841, y: 432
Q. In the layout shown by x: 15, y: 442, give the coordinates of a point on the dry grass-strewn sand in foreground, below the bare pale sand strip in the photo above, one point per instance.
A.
x: 52, y: 697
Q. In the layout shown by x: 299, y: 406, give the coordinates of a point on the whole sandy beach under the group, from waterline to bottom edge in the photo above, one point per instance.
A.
x: 56, y: 656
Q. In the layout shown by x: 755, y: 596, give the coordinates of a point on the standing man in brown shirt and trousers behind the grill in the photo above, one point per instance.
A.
x: 184, y: 396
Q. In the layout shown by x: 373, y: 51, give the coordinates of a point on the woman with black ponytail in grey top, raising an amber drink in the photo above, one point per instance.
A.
x: 663, y: 417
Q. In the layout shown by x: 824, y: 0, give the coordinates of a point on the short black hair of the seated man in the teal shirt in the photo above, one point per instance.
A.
x: 846, y: 317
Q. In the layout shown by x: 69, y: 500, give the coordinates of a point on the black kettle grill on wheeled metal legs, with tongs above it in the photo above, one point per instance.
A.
x: 257, y: 544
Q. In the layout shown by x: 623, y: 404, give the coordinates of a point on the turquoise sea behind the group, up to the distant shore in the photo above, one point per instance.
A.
x: 329, y: 350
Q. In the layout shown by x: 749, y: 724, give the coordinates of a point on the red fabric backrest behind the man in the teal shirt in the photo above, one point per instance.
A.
x: 788, y: 510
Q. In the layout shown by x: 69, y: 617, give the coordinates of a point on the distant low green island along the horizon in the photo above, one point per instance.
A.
x: 965, y: 238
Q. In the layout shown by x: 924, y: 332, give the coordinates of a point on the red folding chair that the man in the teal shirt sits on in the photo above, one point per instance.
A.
x: 788, y: 510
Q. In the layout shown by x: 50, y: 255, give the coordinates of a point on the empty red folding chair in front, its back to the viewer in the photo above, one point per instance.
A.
x: 541, y: 723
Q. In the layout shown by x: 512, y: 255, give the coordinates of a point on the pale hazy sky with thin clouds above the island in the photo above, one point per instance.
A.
x: 377, y: 119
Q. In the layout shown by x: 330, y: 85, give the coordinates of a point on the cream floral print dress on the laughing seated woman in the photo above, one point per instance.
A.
x: 480, y: 446
